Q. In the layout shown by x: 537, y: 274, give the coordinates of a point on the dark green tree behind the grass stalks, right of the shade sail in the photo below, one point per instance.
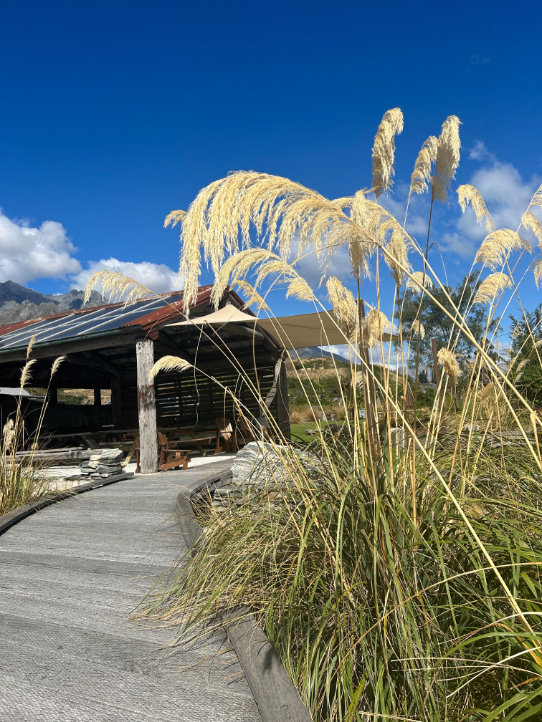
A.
x: 438, y: 325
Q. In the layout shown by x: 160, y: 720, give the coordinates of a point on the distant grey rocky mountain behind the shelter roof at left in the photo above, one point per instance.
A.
x: 18, y: 303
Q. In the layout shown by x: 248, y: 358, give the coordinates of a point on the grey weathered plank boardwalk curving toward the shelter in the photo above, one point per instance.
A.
x: 70, y: 576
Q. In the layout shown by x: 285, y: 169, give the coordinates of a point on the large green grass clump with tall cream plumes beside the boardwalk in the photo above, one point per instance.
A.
x: 395, y: 564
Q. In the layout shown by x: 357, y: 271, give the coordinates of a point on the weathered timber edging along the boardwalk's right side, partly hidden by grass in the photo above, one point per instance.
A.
x: 274, y: 692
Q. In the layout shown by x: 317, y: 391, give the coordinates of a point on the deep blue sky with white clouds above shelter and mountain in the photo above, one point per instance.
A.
x: 115, y: 113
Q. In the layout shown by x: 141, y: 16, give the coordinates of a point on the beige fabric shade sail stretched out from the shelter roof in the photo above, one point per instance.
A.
x: 307, y: 329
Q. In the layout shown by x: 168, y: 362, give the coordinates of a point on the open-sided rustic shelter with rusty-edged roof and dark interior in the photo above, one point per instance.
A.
x: 99, y: 346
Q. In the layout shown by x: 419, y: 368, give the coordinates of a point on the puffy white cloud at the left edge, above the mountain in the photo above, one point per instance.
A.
x: 28, y: 252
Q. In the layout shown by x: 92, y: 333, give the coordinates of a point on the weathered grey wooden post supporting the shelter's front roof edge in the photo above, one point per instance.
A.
x: 146, y: 403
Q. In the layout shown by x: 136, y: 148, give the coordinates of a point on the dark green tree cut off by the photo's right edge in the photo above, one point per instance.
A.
x: 527, y: 333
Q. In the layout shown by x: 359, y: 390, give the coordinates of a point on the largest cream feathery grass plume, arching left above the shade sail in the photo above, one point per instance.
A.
x: 220, y: 219
